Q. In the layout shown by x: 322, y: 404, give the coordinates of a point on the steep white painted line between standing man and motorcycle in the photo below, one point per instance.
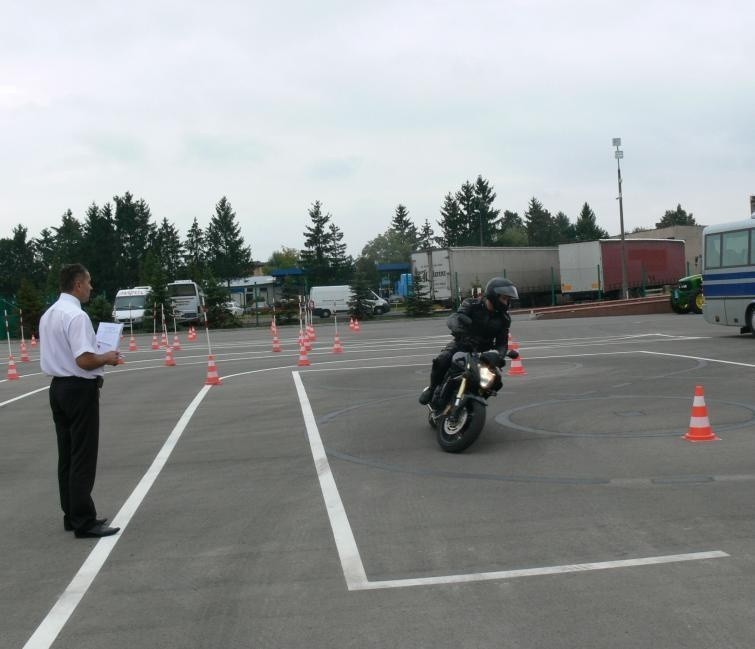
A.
x: 348, y: 552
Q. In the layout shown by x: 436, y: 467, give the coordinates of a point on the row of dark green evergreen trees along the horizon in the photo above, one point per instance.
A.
x: 123, y: 245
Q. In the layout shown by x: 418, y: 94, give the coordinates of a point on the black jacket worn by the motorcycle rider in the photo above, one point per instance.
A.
x: 475, y: 327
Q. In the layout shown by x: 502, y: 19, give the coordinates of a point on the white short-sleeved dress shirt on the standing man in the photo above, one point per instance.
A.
x: 65, y: 333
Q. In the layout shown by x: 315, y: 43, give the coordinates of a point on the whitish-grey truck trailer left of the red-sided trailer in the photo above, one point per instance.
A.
x: 453, y: 274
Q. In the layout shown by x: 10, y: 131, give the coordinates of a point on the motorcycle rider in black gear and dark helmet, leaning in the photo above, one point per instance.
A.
x: 479, y: 324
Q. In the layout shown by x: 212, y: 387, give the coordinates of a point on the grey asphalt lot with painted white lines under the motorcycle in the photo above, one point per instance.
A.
x: 310, y: 506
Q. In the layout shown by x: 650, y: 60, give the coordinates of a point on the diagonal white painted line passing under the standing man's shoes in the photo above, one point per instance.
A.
x: 56, y: 619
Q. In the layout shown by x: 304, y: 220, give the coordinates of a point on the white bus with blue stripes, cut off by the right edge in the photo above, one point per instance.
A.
x: 729, y: 274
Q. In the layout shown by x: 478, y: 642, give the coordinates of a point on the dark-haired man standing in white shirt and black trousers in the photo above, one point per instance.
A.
x: 68, y: 354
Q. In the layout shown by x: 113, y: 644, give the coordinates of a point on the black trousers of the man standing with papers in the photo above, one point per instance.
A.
x: 75, y: 405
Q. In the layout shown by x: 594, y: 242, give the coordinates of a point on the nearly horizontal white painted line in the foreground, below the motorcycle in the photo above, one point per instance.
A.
x: 538, y: 572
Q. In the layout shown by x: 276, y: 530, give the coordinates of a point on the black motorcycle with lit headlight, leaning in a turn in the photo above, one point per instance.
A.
x: 457, y: 411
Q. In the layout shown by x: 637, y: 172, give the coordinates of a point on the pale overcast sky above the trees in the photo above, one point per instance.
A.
x: 367, y: 105
